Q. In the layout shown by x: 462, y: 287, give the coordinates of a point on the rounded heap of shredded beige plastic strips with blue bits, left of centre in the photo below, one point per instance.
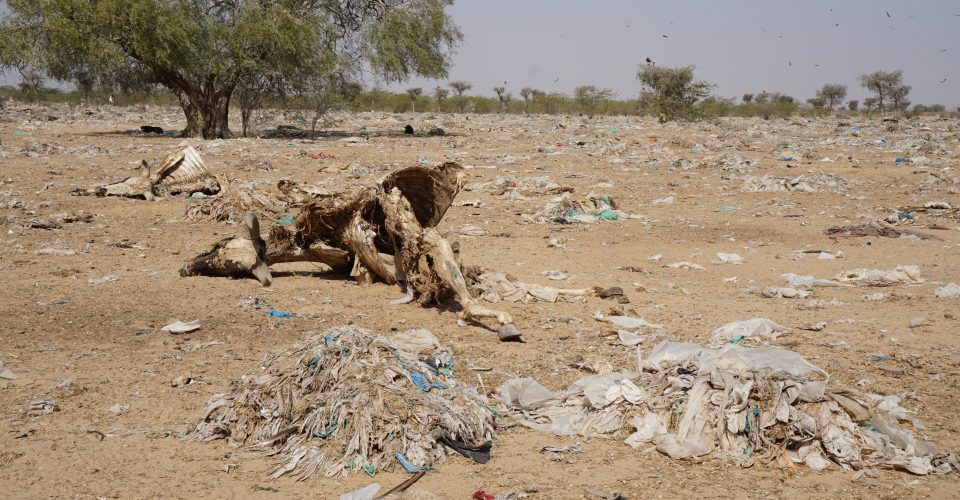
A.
x: 349, y: 400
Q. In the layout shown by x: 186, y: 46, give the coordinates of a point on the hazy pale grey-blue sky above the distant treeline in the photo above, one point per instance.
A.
x: 741, y: 45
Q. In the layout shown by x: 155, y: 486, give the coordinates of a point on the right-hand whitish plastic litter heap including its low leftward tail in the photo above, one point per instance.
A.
x: 762, y: 404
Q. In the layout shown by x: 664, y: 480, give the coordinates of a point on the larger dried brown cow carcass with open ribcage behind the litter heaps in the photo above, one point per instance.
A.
x: 384, y: 232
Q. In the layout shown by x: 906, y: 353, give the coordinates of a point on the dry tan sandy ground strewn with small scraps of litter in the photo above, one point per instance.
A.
x: 86, y: 348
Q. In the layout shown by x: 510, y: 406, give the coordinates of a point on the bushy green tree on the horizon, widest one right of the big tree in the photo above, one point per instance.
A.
x: 671, y: 92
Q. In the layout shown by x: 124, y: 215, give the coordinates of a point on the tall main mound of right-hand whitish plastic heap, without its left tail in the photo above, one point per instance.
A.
x: 773, y: 406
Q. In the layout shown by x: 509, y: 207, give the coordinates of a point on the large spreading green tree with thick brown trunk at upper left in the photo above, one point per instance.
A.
x: 203, y: 50
